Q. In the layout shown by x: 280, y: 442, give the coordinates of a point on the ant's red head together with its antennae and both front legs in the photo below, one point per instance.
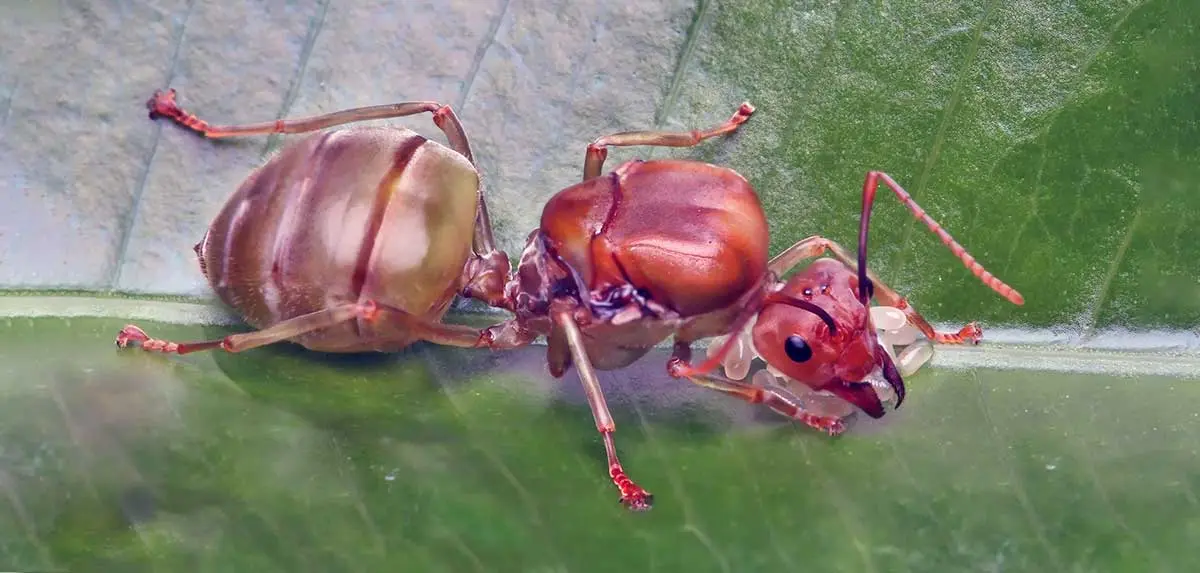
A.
x: 833, y: 347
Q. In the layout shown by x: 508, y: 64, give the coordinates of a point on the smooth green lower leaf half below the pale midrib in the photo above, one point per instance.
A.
x: 441, y: 460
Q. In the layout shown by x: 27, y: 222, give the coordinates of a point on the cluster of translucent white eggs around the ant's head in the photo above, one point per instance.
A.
x: 904, y: 343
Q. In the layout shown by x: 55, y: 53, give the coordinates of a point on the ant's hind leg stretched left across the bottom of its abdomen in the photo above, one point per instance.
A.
x: 505, y: 336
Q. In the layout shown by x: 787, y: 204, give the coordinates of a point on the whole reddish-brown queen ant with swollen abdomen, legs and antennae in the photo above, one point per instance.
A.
x: 357, y: 240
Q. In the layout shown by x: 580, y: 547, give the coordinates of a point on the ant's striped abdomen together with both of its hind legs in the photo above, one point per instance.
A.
x: 340, y: 222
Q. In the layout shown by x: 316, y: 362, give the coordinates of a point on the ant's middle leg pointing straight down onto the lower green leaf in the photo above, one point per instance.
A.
x: 633, y: 497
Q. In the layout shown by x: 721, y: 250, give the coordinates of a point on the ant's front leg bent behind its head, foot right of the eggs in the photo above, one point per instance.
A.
x: 817, y: 246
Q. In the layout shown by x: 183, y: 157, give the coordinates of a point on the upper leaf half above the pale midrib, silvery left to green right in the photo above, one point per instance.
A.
x: 1058, y: 142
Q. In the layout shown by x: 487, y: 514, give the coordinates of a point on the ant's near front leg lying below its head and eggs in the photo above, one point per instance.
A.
x: 779, y: 401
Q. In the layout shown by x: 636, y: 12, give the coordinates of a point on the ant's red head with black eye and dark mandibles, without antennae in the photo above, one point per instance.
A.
x: 817, y: 331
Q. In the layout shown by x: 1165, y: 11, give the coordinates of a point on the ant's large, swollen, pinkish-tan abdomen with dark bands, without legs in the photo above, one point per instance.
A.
x: 343, y: 216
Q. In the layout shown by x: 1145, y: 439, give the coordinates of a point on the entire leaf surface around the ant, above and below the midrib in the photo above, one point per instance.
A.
x: 1059, y: 142
